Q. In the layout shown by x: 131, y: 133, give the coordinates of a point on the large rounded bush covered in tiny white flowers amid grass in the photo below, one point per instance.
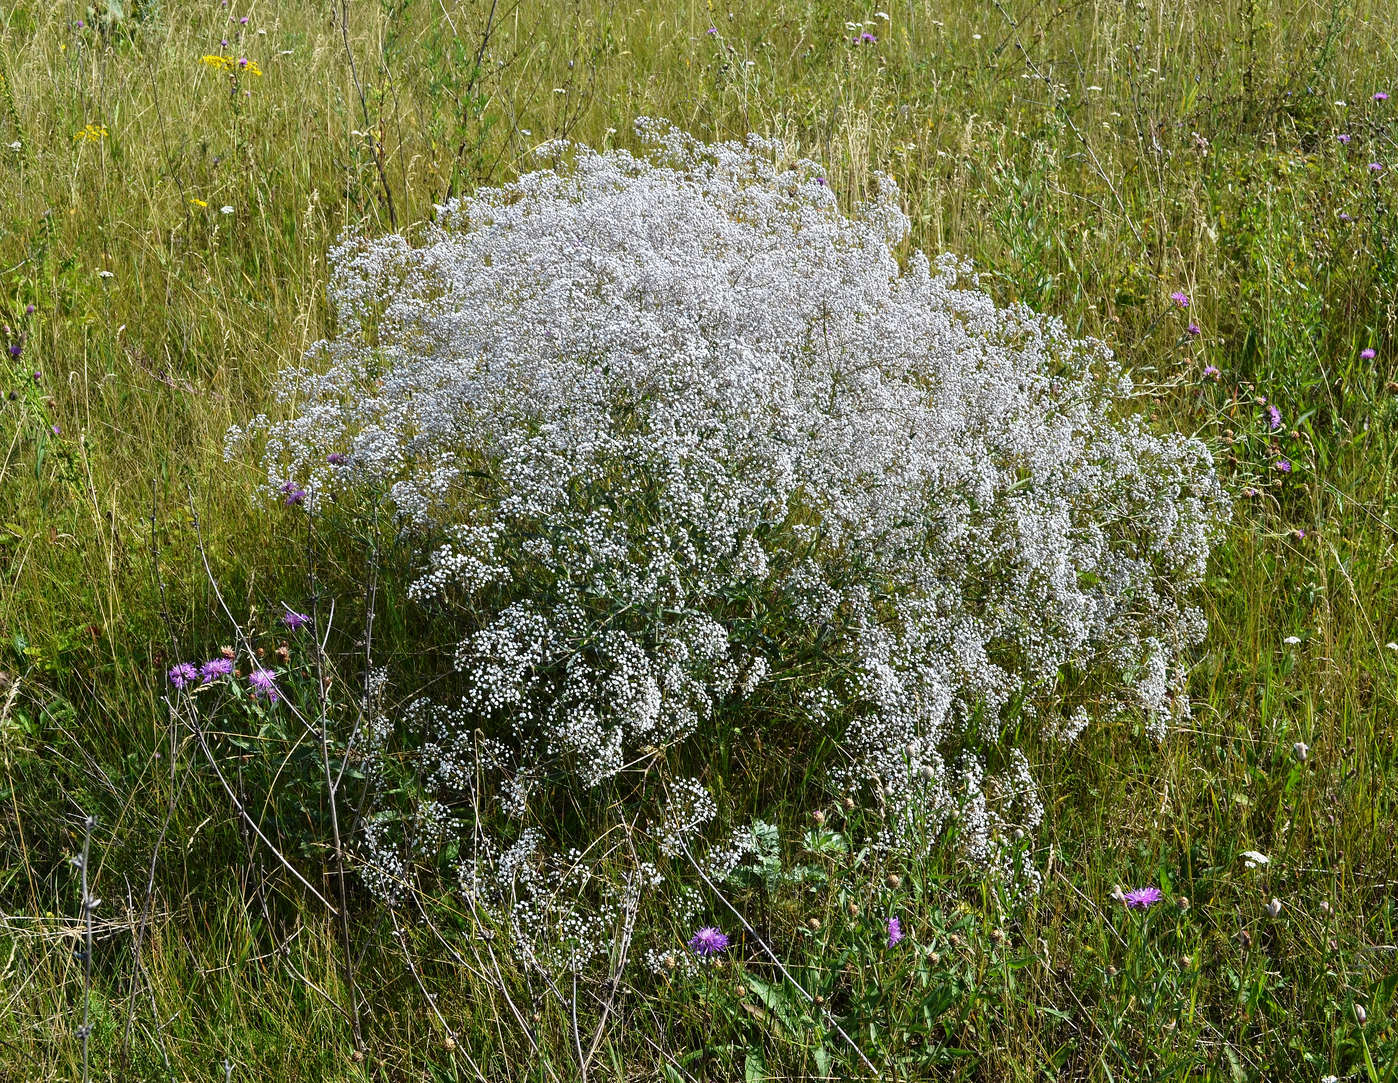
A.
x: 683, y: 442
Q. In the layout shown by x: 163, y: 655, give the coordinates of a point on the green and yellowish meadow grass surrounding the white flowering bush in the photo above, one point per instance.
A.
x: 170, y: 224
